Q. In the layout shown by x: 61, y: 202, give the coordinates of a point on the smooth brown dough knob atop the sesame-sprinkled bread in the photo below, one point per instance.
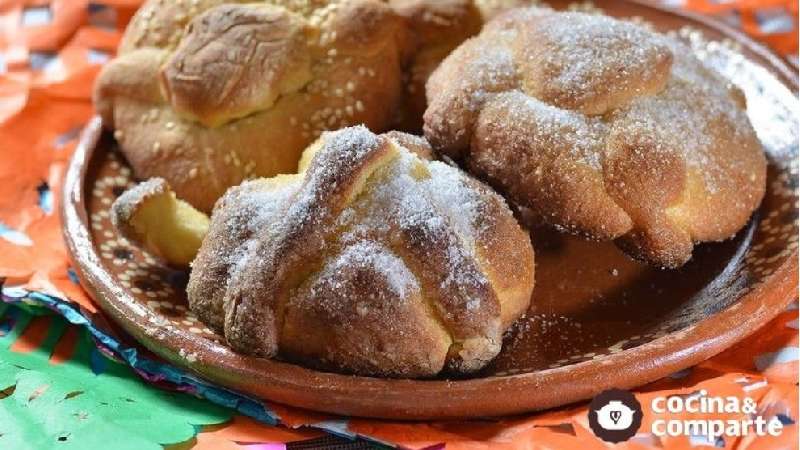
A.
x: 235, y: 60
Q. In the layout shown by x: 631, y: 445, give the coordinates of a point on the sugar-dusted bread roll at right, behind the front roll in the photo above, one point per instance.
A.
x: 601, y: 128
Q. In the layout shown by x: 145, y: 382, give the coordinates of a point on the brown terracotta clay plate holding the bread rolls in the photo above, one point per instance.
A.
x: 598, y: 319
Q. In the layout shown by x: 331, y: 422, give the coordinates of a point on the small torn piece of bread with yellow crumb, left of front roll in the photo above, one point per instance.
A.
x: 166, y: 226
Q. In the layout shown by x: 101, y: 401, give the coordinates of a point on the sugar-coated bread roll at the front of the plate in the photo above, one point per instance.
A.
x: 375, y: 260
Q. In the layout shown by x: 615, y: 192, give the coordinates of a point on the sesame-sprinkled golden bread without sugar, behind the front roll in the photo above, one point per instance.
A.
x: 208, y: 93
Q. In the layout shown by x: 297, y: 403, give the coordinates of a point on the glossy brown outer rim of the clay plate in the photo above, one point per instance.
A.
x: 431, y: 399
